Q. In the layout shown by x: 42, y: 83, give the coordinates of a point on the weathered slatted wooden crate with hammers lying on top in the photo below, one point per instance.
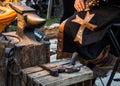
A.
x: 37, y: 76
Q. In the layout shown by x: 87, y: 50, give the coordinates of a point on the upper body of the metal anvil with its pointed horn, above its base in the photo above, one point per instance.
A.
x: 27, y: 20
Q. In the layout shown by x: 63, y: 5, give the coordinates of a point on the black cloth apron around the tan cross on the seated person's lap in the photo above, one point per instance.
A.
x: 93, y: 41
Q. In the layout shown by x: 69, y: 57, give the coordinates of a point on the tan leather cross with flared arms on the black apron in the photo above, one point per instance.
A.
x: 84, y: 24
